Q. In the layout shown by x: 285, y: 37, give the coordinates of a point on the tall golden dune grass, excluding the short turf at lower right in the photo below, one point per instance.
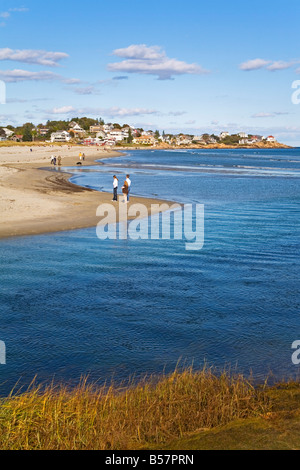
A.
x: 147, y: 415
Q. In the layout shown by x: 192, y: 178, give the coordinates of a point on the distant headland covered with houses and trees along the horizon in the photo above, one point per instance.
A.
x: 96, y: 132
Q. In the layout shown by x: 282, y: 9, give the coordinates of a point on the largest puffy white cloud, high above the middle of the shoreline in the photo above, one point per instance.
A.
x: 152, y: 61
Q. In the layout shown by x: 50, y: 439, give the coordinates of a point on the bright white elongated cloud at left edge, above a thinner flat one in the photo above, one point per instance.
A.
x: 29, y: 56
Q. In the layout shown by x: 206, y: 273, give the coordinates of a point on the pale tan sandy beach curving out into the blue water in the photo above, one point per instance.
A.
x: 35, y: 201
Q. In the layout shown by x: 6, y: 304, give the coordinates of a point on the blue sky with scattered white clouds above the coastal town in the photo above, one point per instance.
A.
x: 190, y: 66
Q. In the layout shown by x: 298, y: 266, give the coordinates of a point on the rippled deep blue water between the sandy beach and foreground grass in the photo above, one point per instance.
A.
x: 72, y: 305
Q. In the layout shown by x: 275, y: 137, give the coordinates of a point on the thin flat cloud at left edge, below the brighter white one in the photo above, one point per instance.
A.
x: 16, y: 76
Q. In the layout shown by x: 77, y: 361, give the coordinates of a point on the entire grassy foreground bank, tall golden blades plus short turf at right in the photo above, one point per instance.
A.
x: 185, y: 410
